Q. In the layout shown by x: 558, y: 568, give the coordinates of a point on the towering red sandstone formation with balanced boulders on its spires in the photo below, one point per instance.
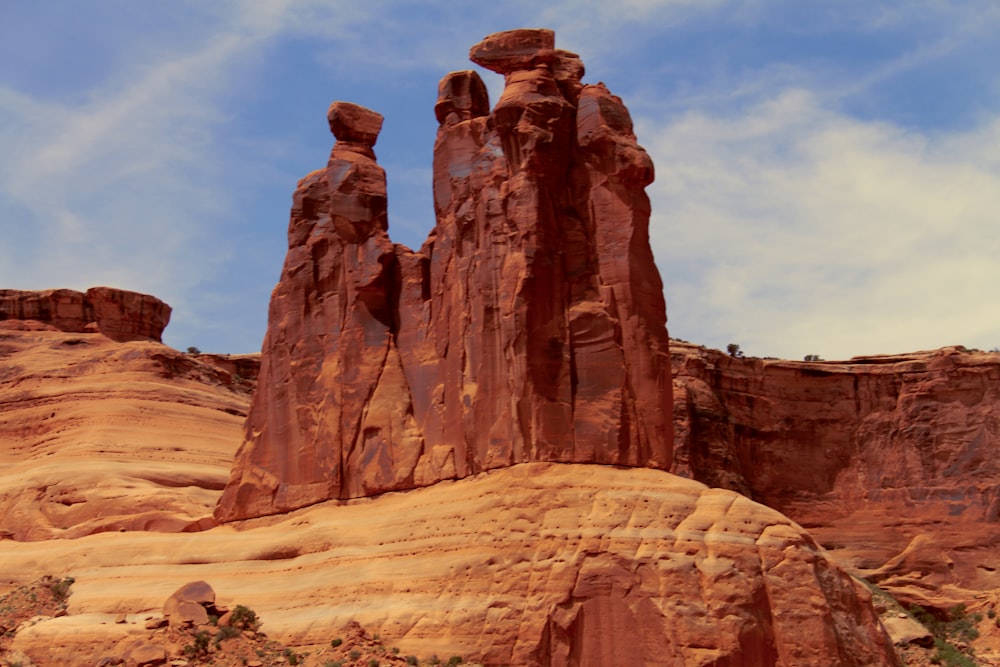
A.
x: 529, y: 327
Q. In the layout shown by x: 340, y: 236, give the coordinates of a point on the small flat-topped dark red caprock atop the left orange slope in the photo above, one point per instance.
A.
x: 118, y: 314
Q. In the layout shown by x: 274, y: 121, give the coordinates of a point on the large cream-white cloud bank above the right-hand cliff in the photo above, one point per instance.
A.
x: 793, y: 229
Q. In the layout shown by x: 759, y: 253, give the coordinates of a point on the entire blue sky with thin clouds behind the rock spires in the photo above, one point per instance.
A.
x: 828, y: 173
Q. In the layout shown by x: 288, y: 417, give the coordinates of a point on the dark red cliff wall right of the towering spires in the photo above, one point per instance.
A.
x: 891, y: 462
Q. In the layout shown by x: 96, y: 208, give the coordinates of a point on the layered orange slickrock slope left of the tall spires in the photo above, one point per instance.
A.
x: 97, y: 435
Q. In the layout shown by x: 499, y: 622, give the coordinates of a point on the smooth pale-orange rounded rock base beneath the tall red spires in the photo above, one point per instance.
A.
x: 536, y: 564
